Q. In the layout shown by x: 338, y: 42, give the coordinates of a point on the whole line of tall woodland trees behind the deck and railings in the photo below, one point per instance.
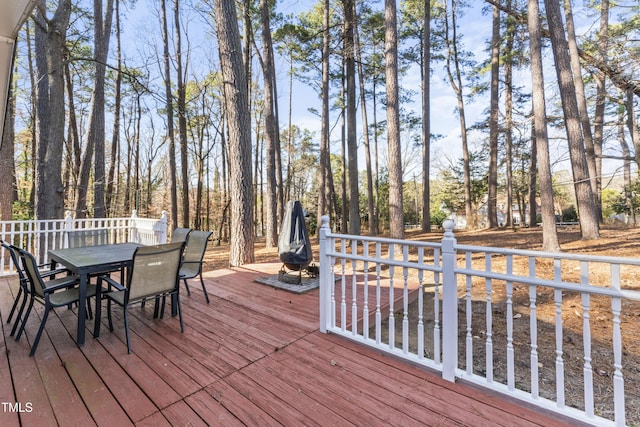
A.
x: 192, y: 120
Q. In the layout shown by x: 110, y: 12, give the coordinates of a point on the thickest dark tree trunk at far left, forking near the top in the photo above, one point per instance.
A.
x: 50, y: 44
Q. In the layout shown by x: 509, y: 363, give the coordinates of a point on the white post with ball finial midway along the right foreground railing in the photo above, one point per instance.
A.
x: 449, y: 304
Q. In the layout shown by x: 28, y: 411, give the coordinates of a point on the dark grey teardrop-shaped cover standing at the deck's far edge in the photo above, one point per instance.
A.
x: 294, y: 247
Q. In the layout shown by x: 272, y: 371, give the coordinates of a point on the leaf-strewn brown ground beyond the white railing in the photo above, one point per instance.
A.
x: 620, y: 242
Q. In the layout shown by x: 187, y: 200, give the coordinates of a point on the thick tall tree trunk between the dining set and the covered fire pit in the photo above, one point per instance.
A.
x: 239, y: 123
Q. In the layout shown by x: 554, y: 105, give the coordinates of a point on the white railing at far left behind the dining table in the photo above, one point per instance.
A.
x: 39, y: 236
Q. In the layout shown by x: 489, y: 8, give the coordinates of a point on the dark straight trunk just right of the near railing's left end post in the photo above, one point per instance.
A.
x: 352, y: 138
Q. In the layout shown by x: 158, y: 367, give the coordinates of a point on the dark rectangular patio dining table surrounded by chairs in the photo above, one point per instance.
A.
x: 87, y: 260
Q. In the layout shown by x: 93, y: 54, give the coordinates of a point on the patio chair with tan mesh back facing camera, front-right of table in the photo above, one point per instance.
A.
x: 154, y: 274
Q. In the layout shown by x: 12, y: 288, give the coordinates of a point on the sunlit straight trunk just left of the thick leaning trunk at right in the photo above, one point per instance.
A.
x: 549, y: 234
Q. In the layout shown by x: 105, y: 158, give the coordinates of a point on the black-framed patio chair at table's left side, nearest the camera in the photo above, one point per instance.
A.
x: 51, y: 293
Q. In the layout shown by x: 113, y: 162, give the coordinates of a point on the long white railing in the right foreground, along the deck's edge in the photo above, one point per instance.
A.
x: 472, y: 314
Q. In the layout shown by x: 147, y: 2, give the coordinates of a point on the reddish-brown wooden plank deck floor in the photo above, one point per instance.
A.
x: 254, y: 356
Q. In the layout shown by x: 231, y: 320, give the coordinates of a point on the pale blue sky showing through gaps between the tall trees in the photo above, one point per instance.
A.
x: 142, y: 26
